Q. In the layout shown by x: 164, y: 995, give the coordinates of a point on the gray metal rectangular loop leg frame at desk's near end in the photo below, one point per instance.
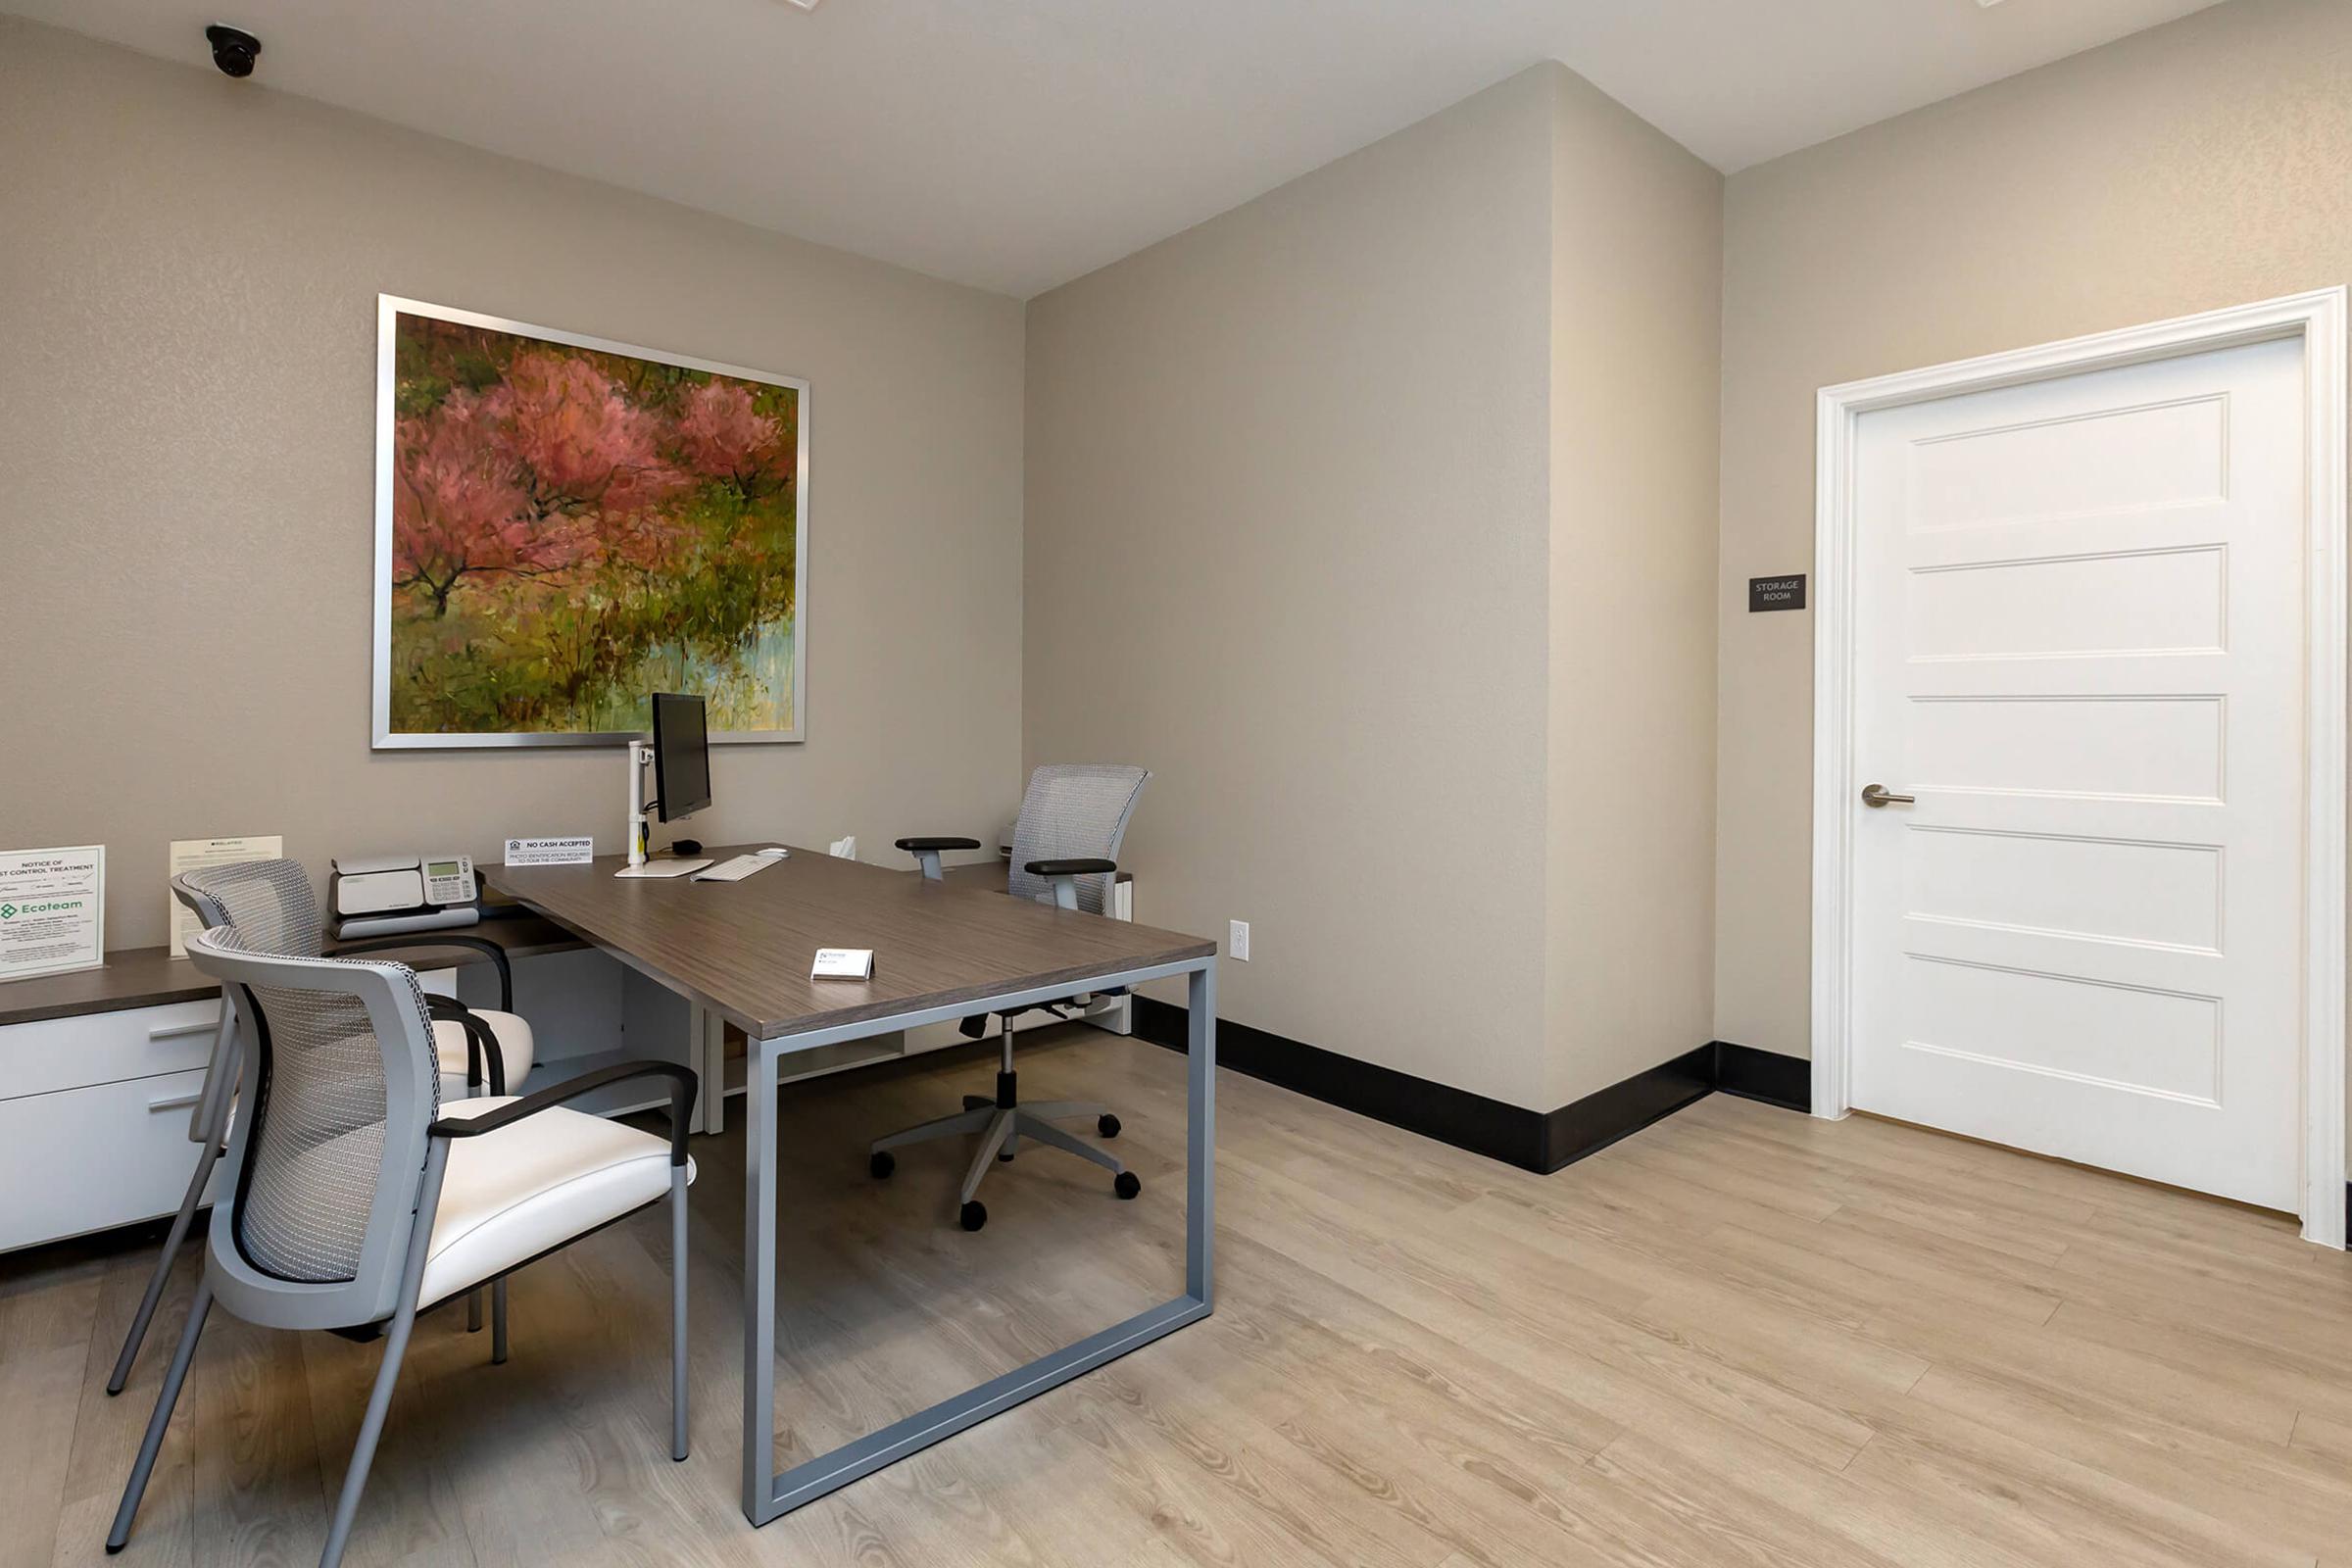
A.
x: 770, y: 1496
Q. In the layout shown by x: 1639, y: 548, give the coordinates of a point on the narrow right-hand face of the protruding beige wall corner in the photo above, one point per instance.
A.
x: 1633, y: 511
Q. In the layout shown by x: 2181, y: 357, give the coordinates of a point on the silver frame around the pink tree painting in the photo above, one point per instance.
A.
x: 382, y: 735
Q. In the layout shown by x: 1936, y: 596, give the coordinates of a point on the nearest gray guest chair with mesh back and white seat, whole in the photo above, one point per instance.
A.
x: 359, y: 1200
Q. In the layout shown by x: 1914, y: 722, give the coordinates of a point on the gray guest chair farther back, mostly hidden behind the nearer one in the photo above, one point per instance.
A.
x: 272, y: 904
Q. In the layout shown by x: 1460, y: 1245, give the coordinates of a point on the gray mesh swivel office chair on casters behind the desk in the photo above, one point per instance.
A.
x: 1067, y: 852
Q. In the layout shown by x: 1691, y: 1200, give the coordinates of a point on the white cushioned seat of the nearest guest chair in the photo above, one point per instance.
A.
x: 528, y: 1188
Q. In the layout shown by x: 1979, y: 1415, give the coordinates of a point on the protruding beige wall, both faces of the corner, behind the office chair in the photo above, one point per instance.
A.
x: 1379, y: 521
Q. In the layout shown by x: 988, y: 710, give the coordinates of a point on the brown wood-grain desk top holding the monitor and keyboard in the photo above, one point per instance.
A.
x: 744, y: 949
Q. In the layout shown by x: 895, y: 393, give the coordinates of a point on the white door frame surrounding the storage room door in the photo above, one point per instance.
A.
x: 2318, y: 321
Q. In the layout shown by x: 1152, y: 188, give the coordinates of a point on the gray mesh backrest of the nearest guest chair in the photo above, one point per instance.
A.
x: 330, y: 1151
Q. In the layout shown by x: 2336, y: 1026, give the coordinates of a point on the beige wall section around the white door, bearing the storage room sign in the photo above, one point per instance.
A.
x: 2198, y: 166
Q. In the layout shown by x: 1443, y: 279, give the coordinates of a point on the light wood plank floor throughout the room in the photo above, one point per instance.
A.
x: 1737, y: 1339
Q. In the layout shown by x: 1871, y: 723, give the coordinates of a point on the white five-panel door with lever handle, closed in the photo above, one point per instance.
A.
x: 2080, y: 650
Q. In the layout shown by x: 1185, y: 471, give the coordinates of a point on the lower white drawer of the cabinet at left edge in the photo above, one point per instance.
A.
x: 91, y: 1158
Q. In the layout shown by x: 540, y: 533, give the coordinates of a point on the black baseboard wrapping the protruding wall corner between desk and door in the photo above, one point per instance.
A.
x: 1514, y: 1134
